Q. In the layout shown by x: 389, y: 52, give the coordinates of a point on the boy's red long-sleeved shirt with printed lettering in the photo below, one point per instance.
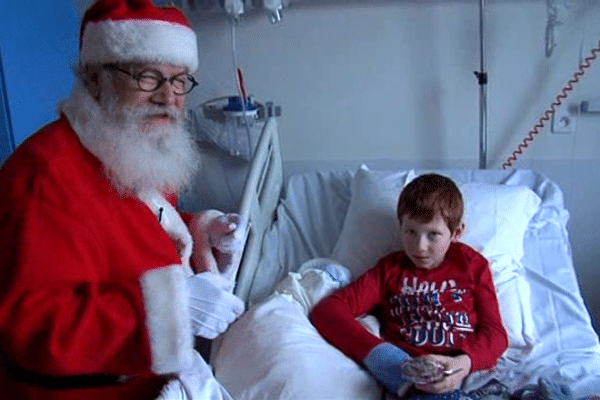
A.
x: 449, y: 310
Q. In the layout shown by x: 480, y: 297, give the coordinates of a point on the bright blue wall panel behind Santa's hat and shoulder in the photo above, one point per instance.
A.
x: 39, y: 44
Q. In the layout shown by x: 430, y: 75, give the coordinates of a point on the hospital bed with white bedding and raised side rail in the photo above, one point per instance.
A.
x: 516, y: 218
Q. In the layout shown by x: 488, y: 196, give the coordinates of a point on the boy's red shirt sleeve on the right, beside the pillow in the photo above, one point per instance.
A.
x: 490, y: 339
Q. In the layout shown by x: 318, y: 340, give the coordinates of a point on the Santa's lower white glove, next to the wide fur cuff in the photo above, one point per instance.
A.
x: 212, y: 305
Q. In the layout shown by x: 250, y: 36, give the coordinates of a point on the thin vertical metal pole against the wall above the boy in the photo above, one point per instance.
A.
x: 482, y: 77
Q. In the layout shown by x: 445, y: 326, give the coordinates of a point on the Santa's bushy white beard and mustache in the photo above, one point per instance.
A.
x: 136, y: 156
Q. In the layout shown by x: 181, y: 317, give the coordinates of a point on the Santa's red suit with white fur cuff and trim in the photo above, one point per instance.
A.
x: 91, y: 285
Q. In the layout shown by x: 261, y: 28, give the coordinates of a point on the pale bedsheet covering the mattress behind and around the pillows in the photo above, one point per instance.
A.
x: 310, y: 219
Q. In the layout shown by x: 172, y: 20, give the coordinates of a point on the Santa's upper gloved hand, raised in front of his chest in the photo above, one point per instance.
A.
x: 223, y: 232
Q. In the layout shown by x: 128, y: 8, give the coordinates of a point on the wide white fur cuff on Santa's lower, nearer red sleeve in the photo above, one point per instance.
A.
x: 167, y: 319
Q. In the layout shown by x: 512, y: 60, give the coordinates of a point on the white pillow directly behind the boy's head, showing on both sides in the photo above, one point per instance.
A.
x: 496, y: 218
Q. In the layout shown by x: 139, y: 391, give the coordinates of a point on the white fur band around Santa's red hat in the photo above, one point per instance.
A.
x: 139, y: 40
